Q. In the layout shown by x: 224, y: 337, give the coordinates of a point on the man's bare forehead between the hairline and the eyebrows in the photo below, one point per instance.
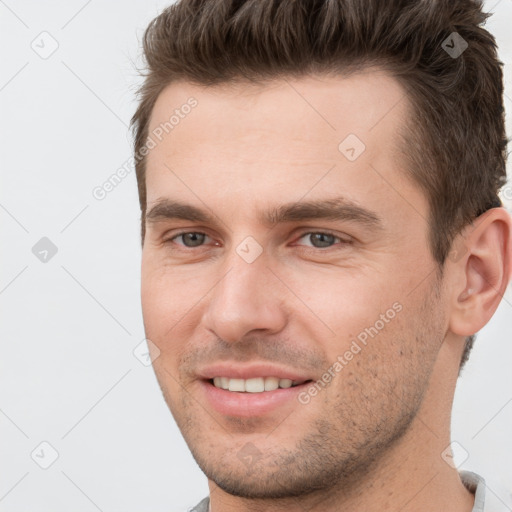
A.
x: 278, y: 140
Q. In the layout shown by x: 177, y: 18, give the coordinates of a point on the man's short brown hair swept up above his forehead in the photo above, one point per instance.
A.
x: 455, y: 146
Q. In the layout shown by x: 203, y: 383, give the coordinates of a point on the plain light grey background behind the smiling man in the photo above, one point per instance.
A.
x: 70, y: 325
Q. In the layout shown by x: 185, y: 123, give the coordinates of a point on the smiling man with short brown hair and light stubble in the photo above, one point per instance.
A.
x: 322, y: 237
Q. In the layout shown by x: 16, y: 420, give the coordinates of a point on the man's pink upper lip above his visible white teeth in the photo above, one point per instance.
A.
x: 235, y: 370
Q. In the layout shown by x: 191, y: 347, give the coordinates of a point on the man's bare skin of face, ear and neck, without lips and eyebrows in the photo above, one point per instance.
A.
x: 373, y: 438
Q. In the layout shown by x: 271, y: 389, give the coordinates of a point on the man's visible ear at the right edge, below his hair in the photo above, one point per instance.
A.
x: 482, y: 271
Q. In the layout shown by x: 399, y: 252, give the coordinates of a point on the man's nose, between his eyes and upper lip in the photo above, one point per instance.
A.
x: 246, y: 299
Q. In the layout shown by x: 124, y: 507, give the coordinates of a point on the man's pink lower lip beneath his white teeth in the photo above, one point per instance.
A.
x: 232, y: 403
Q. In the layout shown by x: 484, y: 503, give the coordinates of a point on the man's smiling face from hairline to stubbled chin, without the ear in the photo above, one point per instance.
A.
x: 349, y: 307
